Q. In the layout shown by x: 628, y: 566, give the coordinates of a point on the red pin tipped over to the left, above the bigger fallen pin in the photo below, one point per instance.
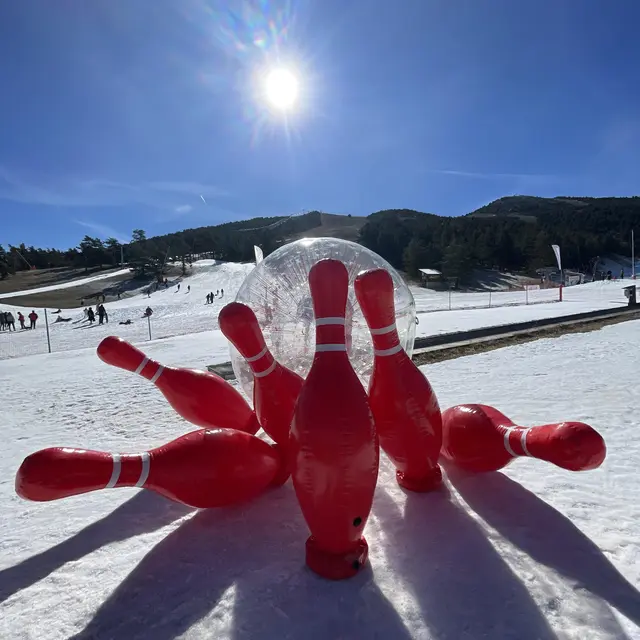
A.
x: 200, y: 397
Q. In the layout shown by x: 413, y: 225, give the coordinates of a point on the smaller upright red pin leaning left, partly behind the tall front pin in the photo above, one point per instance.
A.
x: 275, y: 388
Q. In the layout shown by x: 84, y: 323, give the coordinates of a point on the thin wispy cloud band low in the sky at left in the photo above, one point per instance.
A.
x: 101, y: 193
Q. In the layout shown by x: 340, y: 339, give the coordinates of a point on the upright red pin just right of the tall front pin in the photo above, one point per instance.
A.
x: 405, y: 408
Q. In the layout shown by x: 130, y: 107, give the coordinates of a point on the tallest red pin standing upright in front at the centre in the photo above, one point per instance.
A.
x: 334, y: 444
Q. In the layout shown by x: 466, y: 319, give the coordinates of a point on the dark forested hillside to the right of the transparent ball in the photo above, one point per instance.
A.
x: 512, y: 233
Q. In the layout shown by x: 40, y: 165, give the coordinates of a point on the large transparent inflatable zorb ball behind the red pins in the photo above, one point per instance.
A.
x: 278, y: 292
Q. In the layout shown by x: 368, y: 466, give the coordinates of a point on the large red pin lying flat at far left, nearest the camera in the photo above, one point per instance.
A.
x: 202, y: 469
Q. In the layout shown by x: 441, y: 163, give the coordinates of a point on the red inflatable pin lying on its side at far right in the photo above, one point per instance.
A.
x: 476, y: 437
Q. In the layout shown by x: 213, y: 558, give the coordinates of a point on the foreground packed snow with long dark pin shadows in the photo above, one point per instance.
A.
x: 534, y: 552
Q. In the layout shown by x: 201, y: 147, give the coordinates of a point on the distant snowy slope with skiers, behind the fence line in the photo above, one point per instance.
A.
x: 183, y: 312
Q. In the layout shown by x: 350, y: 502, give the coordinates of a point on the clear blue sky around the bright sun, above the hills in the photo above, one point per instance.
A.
x: 117, y: 114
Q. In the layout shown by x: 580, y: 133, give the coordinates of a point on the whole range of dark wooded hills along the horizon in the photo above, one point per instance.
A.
x: 512, y: 233
